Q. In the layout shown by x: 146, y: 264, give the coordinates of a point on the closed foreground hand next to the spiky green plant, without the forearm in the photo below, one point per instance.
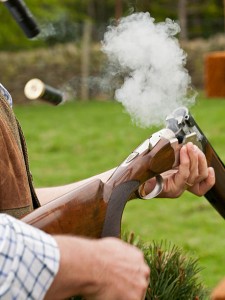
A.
x: 120, y: 271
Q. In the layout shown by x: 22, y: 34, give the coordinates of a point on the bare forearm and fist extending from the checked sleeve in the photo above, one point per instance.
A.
x: 99, y: 269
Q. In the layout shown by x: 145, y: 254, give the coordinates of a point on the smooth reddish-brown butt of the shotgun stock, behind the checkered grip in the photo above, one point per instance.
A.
x: 79, y: 212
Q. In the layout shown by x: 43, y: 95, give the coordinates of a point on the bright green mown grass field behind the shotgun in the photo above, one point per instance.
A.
x: 74, y: 141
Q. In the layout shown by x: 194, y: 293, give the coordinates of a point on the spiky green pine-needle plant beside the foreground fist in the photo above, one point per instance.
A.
x: 174, y: 275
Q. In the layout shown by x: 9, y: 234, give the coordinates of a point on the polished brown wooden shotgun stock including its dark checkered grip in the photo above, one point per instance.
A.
x: 95, y: 209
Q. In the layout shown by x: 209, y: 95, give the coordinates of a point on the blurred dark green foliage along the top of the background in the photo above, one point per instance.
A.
x: 61, y: 21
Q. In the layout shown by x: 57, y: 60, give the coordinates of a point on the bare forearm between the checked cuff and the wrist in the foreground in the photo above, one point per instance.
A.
x: 77, y: 271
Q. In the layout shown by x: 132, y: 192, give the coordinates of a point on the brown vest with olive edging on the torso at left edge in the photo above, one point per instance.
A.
x: 17, y: 194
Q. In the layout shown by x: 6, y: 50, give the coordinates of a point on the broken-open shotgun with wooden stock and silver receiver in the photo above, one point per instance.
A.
x: 95, y: 209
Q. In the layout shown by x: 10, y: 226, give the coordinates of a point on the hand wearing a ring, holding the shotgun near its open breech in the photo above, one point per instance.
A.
x: 192, y: 175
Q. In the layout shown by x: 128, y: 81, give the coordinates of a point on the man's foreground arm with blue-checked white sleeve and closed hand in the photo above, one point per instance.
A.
x: 97, y: 269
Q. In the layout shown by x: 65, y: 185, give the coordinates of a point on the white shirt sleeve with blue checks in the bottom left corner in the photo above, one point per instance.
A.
x: 29, y: 260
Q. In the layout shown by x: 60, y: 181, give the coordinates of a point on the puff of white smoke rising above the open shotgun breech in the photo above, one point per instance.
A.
x: 157, y: 81
